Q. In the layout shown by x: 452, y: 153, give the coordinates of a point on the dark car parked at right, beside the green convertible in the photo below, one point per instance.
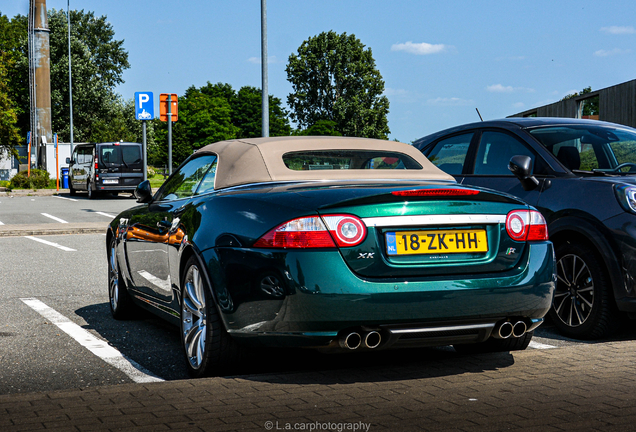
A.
x: 581, y: 175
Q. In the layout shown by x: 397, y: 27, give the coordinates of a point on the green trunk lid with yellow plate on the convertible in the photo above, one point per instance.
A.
x: 431, y: 235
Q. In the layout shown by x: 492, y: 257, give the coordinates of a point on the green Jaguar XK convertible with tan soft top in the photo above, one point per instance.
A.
x: 325, y: 242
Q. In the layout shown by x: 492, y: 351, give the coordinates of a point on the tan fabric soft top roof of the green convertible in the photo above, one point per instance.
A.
x: 256, y: 160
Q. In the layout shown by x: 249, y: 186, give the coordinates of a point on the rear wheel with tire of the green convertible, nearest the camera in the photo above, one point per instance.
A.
x: 208, y: 348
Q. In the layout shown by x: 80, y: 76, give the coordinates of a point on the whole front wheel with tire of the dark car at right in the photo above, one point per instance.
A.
x: 583, y: 304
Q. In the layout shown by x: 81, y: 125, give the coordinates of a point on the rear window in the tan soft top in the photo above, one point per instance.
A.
x: 348, y: 160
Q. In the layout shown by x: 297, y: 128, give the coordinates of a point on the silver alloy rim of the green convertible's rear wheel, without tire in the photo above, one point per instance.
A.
x: 194, y: 318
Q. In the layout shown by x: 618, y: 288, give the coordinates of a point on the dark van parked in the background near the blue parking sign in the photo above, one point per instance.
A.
x: 105, y: 167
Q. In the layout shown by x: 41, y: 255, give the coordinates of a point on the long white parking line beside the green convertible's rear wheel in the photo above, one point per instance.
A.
x: 95, y: 345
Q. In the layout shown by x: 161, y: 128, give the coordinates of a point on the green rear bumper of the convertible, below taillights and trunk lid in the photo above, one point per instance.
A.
x: 319, y: 297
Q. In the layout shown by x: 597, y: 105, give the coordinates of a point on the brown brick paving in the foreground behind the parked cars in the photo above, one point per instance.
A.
x: 585, y: 387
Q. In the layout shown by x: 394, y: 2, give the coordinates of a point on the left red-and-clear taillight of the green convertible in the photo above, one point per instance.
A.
x: 315, y: 232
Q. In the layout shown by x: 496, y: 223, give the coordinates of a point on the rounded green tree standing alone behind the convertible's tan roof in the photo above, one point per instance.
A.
x: 334, y: 78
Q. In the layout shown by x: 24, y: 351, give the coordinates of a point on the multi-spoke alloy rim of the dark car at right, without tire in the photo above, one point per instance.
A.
x: 573, y: 300
